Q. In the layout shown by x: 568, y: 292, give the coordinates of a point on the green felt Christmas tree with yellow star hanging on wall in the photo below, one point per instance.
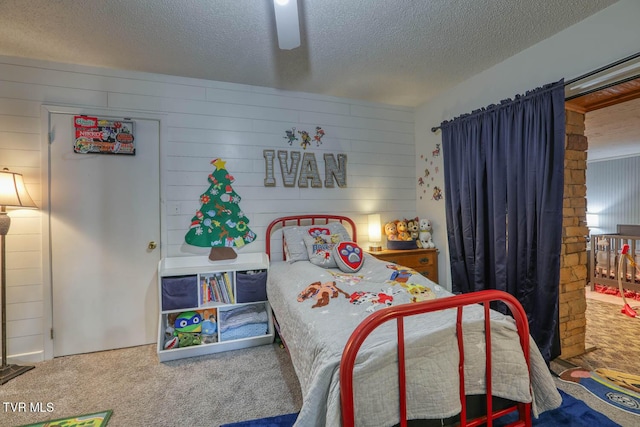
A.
x: 220, y: 223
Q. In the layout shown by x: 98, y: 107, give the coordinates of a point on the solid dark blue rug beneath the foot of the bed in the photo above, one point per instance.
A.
x: 572, y: 412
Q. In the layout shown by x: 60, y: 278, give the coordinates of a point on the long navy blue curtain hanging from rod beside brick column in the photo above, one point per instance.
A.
x: 504, y: 179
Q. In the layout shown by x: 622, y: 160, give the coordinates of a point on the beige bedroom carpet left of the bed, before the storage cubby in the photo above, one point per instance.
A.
x: 202, y: 391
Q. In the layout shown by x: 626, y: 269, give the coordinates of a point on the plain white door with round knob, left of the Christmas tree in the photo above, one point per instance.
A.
x: 104, y: 216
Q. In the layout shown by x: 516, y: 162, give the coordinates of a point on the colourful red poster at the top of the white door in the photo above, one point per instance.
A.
x: 102, y: 136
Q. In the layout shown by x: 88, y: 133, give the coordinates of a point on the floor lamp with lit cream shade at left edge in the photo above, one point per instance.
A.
x: 13, y: 194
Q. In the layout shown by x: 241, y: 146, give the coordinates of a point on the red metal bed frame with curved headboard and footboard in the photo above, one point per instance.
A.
x: 399, y: 313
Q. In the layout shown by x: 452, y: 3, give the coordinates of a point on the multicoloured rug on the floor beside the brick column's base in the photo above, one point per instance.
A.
x: 613, y: 387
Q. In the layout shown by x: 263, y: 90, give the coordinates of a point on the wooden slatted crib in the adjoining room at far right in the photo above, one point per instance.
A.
x: 605, y: 255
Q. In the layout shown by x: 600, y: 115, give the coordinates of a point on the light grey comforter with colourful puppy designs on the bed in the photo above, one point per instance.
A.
x: 317, y: 310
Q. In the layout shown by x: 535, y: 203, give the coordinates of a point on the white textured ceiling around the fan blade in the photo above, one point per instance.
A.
x: 397, y: 52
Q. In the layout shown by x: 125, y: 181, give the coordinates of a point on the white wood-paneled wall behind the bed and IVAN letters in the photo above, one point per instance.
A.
x: 204, y: 120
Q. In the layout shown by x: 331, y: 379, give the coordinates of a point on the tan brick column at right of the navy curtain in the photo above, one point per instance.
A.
x: 573, y: 256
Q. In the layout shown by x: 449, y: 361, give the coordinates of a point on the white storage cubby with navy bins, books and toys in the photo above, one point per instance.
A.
x: 227, y: 293
